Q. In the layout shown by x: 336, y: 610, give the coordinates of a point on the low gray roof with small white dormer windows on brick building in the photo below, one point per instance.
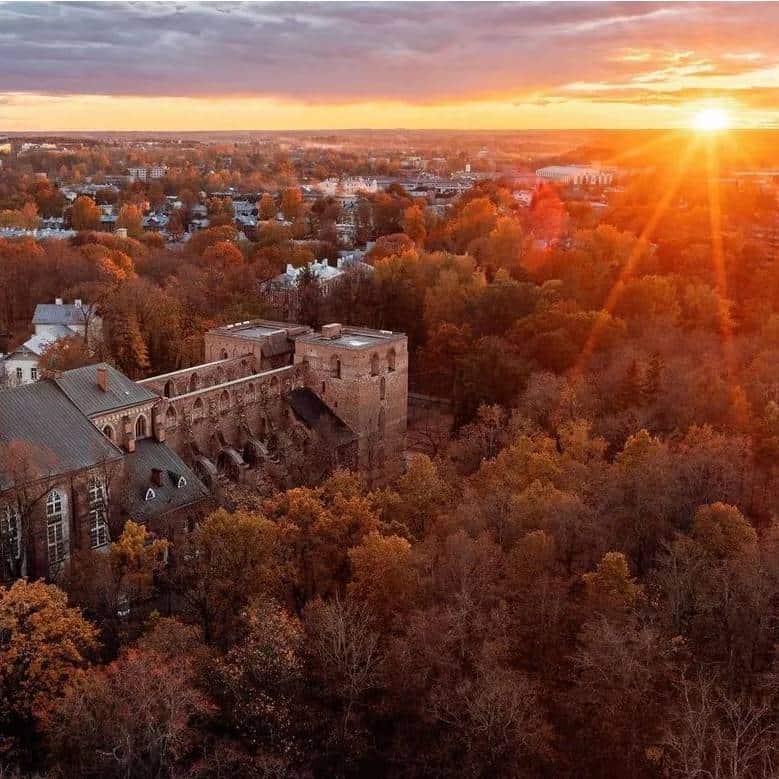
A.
x: 168, y: 496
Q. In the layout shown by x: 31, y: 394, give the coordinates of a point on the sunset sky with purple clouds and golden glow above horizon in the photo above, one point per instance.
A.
x: 272, y: 66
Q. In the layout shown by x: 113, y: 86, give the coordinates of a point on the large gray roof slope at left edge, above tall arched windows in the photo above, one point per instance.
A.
x: 59, y: 438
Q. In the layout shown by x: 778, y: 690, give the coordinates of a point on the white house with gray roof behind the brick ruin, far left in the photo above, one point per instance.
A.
x: 51, y: 322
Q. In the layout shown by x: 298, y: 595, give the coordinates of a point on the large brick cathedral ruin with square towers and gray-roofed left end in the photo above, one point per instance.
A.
x: 81, y: 453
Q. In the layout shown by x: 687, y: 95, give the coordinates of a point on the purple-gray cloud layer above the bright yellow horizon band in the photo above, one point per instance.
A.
x: 419, y: 52
